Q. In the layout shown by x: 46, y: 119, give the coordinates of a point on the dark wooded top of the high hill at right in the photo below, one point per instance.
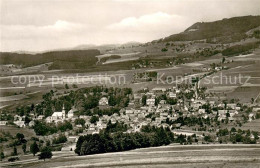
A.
x: 221, y: 31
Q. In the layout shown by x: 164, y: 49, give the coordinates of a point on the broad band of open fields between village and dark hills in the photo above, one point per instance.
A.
x: 248, y: 67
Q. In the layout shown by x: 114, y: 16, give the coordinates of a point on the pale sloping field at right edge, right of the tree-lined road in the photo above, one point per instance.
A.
x: 241, y: 80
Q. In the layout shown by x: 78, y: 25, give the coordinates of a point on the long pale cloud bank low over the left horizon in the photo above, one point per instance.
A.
x: 37, y: 38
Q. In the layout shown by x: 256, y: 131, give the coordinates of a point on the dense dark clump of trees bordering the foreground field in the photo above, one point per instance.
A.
x: 119, y: 141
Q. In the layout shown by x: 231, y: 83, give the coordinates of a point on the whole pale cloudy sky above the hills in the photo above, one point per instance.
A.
x: 40, y: 25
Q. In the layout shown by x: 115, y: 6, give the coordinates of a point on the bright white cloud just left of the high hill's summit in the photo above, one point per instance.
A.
x: 148, y: 27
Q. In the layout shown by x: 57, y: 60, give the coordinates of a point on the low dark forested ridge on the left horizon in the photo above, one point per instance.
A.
x: 61, y: 59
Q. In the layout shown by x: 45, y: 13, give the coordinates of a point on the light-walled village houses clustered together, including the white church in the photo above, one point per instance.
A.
x: 137, y: 115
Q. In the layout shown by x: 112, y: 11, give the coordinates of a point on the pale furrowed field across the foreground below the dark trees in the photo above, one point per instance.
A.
x: 226, y: 156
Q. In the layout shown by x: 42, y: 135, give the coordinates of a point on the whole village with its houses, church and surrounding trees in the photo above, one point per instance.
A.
x: 185, y: 110
